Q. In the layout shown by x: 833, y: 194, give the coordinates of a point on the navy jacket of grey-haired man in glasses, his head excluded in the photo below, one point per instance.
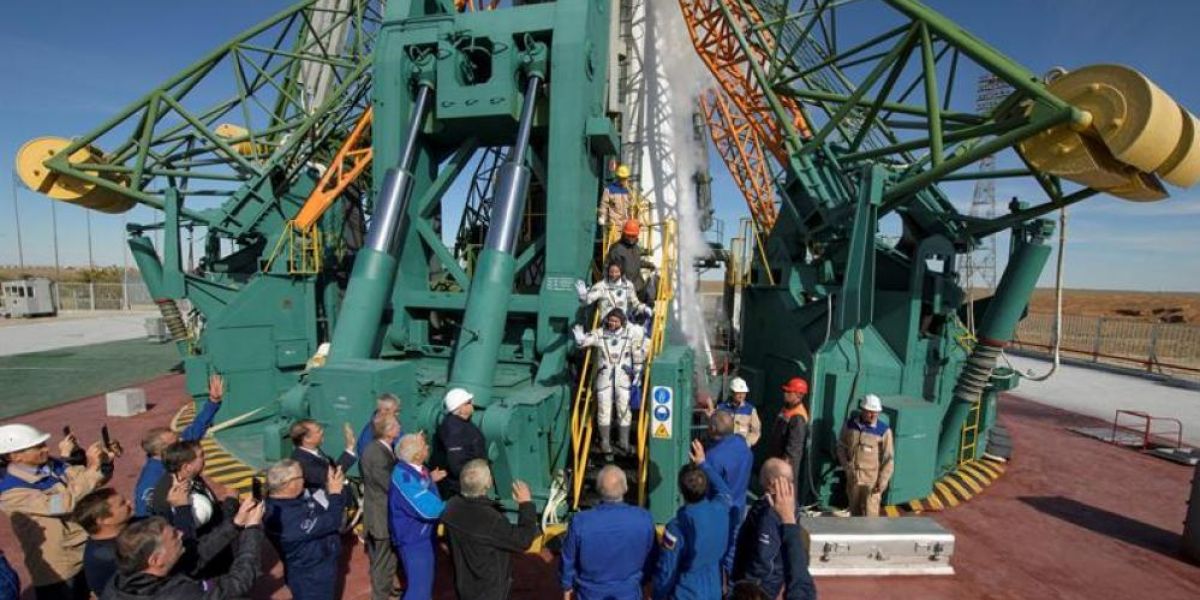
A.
x: 308, y: 539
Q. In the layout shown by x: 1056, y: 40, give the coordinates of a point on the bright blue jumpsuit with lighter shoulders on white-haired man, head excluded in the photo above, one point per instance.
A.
x: 413, y: 511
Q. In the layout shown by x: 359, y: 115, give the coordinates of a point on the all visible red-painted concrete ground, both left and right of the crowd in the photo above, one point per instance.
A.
x: 1072, y: 518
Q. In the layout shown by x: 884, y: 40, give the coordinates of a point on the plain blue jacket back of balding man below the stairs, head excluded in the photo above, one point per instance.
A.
x: 608, y: 551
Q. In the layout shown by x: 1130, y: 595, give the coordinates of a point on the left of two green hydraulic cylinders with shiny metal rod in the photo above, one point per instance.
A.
x: 375, y: 267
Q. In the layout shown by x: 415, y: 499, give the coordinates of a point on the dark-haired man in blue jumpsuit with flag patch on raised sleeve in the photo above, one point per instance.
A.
x: 697, y: 541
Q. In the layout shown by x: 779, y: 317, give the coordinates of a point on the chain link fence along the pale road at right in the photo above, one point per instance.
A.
x: 1168, y: 349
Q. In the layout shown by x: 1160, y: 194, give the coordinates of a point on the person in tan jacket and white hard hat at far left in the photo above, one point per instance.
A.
x: 39, y: 494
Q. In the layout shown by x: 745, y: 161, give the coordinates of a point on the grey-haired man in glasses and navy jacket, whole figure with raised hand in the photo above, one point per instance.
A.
x: 304, y: 529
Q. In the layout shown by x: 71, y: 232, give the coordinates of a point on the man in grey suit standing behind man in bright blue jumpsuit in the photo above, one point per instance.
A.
x: 377, y: 464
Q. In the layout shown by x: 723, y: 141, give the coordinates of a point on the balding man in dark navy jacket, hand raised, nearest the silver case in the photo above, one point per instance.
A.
x: 765, y: 556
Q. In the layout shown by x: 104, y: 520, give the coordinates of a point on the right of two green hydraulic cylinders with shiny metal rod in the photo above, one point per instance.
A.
x: 491, y: 285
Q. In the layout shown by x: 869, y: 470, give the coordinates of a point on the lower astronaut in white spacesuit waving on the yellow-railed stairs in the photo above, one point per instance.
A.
x: 622, y: 352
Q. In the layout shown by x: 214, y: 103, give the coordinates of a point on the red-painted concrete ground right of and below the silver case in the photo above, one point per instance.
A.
x: 1072, y: 518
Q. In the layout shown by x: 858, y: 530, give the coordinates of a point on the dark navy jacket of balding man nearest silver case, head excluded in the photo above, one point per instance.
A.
x: 761, y: 557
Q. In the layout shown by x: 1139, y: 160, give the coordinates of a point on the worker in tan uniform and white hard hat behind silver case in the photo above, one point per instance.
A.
x: 866, y: 453
